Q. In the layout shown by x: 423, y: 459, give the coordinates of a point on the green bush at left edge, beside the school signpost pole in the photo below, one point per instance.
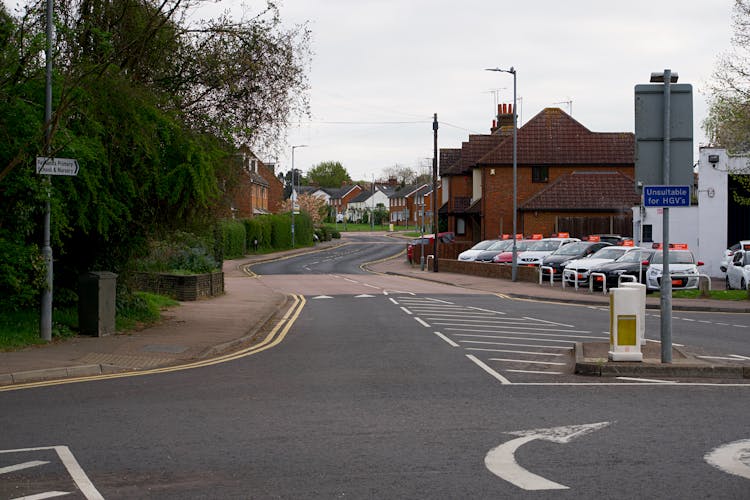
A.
x: 22, y: 274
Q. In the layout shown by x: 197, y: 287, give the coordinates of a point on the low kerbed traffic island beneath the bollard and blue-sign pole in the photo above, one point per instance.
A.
x: 591, y: 358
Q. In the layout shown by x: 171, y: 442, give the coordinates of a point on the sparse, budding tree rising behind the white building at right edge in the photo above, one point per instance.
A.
x: 728, y: 122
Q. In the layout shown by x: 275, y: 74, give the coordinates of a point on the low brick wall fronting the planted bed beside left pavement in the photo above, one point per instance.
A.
x: 179, y: 286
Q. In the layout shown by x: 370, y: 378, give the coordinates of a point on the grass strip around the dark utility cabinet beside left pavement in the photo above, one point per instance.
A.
x: 20, y: 329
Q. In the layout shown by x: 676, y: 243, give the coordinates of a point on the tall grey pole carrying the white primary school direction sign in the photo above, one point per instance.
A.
x: 45, y: 322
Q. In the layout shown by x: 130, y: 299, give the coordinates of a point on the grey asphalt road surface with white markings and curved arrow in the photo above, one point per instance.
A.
x: 382, y: 388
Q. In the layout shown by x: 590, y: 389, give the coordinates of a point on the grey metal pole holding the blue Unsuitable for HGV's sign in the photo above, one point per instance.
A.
x: 666, y: 278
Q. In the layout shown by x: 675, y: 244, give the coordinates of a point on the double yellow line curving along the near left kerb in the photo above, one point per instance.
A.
x: 274, y: 338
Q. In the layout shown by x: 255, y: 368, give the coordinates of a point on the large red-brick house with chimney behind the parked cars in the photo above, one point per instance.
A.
x: 479, y: 180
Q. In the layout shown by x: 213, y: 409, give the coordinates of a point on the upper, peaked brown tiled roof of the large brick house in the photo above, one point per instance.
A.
x: 553, y: 137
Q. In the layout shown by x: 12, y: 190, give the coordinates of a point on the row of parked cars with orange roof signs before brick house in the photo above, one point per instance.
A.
x: 609, y: 258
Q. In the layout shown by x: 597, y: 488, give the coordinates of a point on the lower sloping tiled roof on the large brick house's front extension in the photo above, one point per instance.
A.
x: 586, y: 191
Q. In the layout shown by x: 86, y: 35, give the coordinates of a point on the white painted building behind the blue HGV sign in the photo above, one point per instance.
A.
x: 704, y: 226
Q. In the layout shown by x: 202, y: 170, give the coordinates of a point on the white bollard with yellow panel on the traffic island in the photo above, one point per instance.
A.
x: 624, y: 325
